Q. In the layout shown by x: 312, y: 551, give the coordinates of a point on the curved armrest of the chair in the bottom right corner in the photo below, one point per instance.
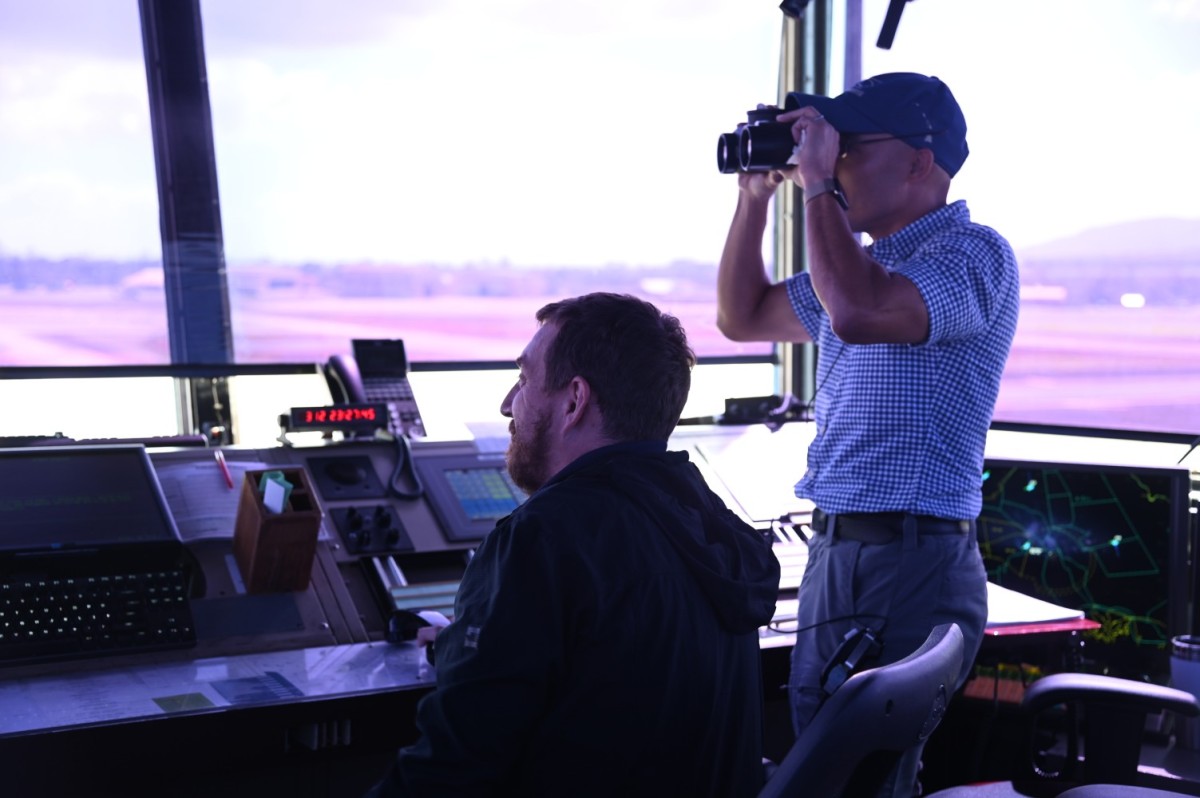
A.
x: 1113, y: 692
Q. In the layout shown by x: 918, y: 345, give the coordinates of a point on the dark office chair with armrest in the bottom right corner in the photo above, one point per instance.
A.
x: 1102, y: 721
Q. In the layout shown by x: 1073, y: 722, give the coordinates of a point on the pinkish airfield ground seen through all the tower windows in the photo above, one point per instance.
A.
x: 1082, y: 367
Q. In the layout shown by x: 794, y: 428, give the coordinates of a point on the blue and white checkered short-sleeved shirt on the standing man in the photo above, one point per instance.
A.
x: 903, y: 427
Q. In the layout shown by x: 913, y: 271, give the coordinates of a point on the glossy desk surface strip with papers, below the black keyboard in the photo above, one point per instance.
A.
x: 124, y: 693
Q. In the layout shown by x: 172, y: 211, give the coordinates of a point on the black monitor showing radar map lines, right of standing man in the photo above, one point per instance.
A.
x: 1109, y: 541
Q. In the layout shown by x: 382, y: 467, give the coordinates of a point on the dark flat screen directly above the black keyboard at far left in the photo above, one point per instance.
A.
x: 75, y: 497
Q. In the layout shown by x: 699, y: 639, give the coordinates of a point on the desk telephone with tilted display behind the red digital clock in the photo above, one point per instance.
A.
x: 377, y: 373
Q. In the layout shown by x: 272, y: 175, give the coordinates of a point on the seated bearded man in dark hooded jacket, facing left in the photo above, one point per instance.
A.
x: 605, y: 634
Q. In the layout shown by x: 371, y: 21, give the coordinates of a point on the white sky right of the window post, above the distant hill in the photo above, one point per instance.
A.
x: 1079, y: 112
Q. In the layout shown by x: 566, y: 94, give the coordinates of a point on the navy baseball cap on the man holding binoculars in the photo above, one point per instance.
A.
x: 916, y: 109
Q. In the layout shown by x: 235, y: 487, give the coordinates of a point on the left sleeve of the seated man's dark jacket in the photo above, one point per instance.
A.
x: 496, y: 667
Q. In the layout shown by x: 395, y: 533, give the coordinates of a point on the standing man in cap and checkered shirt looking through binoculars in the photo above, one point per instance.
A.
x: 913, y: 332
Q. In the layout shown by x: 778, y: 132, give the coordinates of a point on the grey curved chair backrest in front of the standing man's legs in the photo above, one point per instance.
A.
x: 861, y: 731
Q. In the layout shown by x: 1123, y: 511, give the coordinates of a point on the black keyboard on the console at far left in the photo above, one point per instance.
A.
x: 49, y: 617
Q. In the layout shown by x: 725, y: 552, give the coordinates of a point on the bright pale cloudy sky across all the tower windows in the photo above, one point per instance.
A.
x: 537, y: 133
